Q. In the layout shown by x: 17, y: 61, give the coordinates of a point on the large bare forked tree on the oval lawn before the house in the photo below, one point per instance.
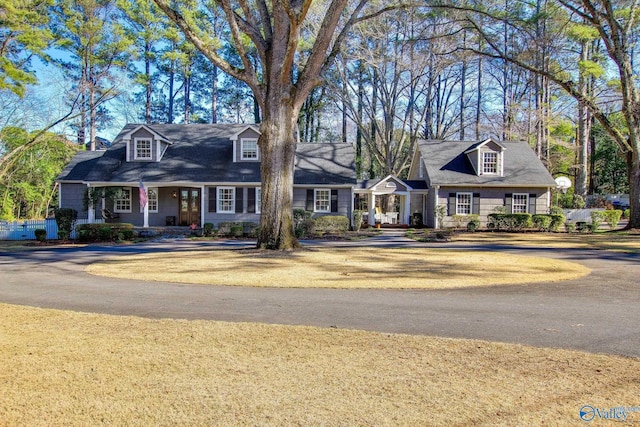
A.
x: 281, y: 79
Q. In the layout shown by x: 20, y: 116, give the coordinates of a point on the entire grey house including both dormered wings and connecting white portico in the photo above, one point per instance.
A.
x: 197, y: 173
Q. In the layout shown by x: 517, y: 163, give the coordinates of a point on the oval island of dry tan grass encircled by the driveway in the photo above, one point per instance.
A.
x: 341, y: 268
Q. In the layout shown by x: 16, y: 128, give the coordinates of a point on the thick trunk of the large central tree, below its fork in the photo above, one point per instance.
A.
x: 278, y: 149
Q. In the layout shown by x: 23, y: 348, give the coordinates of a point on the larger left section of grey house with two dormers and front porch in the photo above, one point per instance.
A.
x: 194, y: 174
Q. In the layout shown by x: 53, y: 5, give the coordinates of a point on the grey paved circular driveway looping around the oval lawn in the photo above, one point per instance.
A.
x: 597, y: 313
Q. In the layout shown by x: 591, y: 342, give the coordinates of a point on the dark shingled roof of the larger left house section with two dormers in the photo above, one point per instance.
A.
x: 203, y: 153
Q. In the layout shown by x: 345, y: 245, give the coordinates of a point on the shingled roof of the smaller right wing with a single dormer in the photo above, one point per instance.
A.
x: 447, y: 164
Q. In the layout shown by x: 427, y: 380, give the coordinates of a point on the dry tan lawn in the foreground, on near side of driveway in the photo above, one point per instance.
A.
x: 60, y: 368
